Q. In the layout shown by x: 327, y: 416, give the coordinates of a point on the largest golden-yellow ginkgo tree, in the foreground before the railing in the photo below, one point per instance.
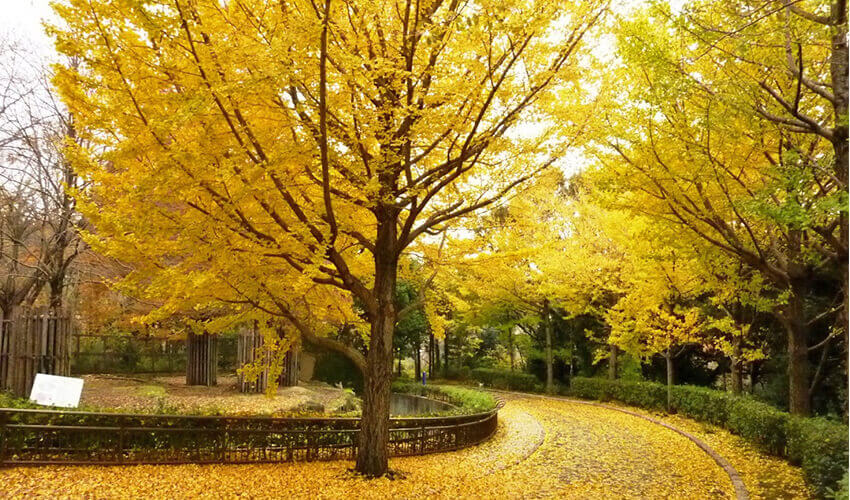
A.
x: 282, y: 157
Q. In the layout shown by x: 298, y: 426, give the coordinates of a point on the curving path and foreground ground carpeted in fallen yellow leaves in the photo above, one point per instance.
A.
x: 543, y: 448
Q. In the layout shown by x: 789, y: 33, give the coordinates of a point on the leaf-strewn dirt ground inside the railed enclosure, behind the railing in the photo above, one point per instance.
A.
x: 166, y: 394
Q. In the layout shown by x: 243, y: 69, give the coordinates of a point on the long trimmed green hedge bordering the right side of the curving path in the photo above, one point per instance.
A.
x: 817, y: 445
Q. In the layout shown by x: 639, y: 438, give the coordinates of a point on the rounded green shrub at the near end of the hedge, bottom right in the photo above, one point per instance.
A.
x: 819, y: 446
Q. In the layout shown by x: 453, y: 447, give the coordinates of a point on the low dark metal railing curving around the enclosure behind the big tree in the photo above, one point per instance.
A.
x: 36, y: 437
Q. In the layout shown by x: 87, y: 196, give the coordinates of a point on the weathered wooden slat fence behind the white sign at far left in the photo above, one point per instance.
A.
x: 33, y: 341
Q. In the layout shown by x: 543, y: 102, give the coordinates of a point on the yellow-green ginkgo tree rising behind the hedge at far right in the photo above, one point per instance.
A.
x: 733, y: 130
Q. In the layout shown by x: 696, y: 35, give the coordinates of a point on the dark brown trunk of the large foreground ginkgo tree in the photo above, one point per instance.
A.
x: 372, y: 453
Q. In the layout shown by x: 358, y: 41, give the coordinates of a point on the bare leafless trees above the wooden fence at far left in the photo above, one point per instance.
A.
x: 39, y: 239
